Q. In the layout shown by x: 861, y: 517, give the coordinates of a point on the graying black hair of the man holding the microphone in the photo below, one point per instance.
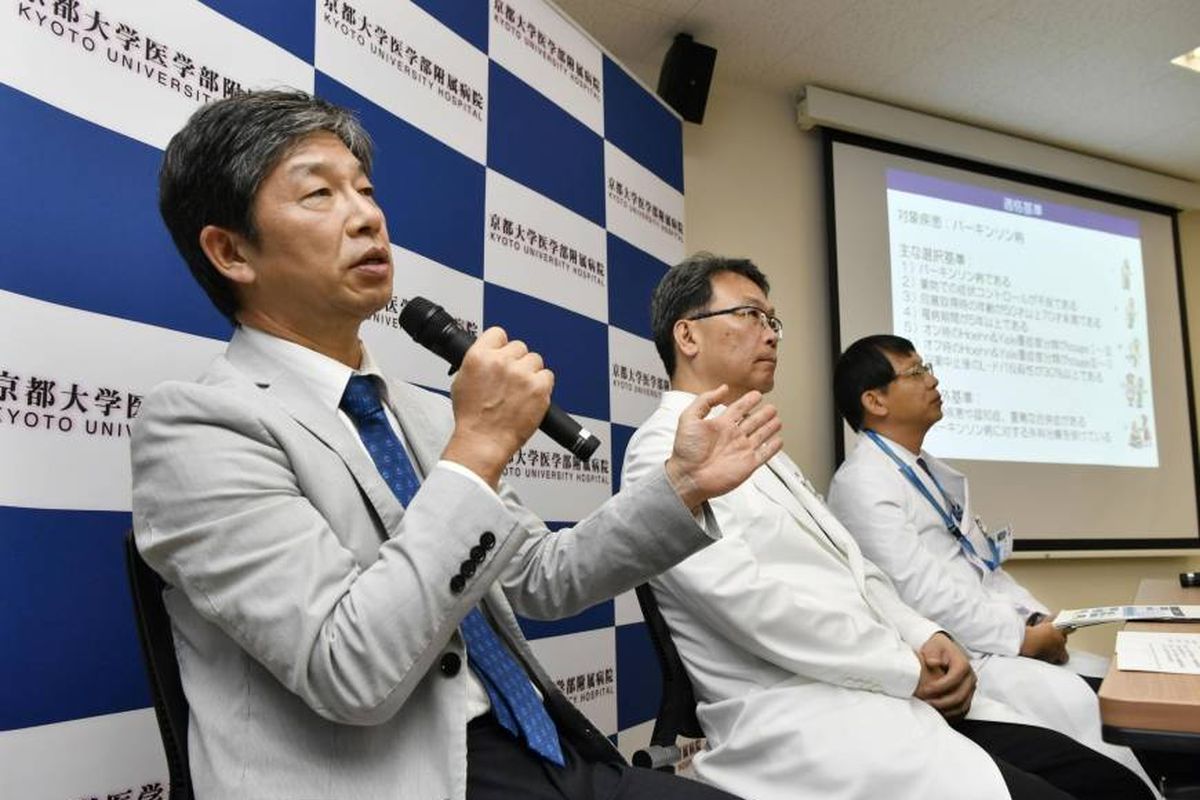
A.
x: 214, y: 167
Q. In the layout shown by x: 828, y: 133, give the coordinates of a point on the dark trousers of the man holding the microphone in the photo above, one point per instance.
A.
x: 502, y: 768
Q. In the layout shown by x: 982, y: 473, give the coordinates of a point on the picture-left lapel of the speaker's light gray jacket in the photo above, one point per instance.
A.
x: 299, y: 404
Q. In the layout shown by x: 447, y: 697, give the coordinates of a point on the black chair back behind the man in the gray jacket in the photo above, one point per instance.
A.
x: 163, y: 670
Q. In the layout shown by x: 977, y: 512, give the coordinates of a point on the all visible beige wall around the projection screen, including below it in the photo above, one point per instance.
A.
x: 755, y: 189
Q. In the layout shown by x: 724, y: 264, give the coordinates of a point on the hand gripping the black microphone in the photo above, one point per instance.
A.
x: 500, y: 396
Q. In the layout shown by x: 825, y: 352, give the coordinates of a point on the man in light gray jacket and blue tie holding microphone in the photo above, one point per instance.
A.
x: 343, y: 558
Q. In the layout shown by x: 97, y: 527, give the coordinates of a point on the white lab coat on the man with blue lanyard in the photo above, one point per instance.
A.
x: 985, y: 610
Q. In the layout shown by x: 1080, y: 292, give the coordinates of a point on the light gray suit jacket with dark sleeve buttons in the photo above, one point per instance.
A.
x: 314, y: 615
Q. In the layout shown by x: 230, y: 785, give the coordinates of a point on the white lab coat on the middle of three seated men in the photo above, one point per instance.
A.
x: 802, y: 654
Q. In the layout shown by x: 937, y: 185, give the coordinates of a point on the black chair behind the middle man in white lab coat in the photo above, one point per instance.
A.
x: 677, y: 709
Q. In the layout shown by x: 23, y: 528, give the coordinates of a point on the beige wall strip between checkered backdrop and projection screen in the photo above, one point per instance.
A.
x: 754, y: 189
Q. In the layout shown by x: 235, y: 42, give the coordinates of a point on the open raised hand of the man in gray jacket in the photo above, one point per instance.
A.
x: 713, y: 456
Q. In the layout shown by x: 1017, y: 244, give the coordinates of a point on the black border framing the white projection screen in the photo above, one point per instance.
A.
x: 830, y: 137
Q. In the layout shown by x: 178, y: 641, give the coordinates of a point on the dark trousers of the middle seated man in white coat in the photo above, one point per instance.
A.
x: 1042, y: 765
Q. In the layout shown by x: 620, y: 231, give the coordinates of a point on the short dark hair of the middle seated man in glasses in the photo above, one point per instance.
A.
x: 688, y: 287
